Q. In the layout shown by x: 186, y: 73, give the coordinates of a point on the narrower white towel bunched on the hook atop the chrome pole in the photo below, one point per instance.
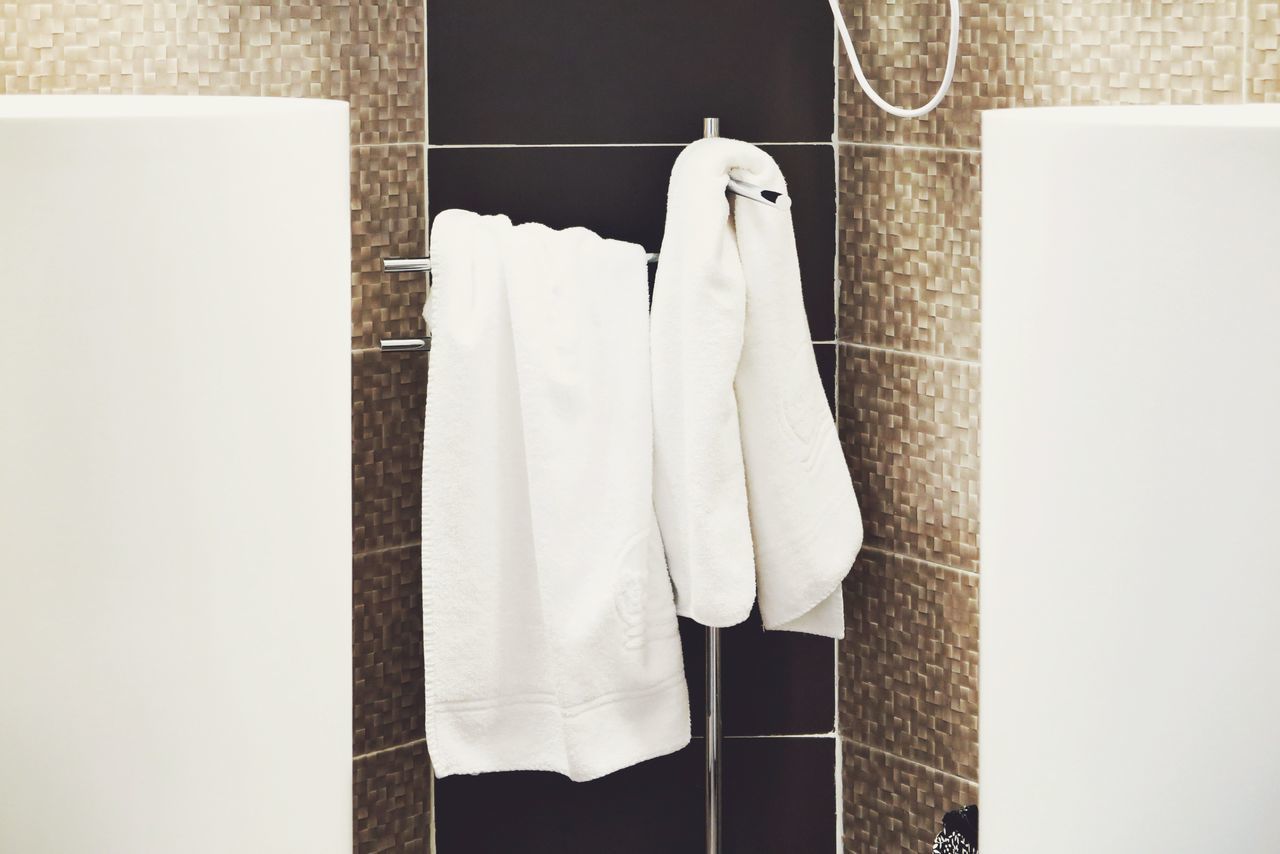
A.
x: 752, y: 487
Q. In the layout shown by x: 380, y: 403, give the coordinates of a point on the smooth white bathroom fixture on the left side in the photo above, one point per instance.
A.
x: 176, y: 483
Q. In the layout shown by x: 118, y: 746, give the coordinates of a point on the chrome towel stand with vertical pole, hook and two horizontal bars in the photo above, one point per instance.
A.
x: 715, y: 733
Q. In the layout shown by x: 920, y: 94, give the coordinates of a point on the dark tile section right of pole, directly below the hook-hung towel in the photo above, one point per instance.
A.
x: 776, y: 683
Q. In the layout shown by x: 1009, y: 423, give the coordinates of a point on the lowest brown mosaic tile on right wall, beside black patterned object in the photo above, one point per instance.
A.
x: 893, y: 806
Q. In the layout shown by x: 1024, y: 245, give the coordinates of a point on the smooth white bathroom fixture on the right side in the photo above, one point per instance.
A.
x: 1131, y: 481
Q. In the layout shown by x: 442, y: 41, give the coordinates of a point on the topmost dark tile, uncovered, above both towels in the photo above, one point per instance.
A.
x: 583, y: 71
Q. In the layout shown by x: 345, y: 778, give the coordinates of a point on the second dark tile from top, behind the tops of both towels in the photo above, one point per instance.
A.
x: 623, y: 194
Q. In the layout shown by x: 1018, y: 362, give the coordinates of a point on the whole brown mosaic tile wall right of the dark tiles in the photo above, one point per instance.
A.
x: 909, y: 332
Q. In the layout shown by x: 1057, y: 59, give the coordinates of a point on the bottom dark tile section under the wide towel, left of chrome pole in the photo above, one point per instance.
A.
x: 656, y: 806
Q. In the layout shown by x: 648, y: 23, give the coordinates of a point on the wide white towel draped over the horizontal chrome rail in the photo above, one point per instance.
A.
x: 550, y: 625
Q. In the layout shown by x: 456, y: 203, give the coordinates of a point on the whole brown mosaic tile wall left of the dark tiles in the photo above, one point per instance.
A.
x: 373, y: 54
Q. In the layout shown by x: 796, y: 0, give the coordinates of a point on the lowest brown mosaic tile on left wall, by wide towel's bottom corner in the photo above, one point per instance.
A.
x: 392, y: 802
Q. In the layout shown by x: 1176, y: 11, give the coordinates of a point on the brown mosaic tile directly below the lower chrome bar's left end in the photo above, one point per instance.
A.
x: 388, y: 395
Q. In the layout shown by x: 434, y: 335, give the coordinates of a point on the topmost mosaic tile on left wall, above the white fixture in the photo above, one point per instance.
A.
x: 365, y: 52
